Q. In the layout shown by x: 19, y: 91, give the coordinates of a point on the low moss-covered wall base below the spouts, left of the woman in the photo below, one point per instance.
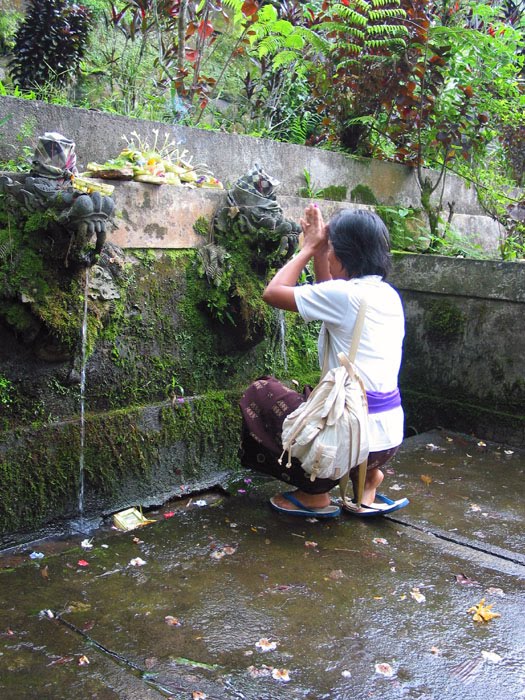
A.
x: 138, y: 456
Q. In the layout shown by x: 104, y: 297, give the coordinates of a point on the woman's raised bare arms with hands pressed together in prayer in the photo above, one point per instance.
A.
x: 280, y: 290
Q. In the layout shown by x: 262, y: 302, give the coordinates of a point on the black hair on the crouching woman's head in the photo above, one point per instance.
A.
x: 361, y: 242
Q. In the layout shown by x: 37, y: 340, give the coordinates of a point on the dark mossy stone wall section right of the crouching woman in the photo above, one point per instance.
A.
x: 464, y: 355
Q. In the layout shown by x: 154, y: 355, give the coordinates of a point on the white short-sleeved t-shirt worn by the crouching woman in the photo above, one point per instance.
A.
x: 378, y: 358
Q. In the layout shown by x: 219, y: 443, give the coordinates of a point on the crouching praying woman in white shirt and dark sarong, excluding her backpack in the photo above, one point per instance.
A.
x: 351, y: 261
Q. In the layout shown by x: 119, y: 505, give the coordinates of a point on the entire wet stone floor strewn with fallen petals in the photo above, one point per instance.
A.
x: 223, y: 598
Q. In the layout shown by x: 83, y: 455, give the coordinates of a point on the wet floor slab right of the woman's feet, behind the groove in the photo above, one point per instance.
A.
x: 464, y: 487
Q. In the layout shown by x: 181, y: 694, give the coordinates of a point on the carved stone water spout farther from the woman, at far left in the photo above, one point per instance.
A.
x: 73, y: 212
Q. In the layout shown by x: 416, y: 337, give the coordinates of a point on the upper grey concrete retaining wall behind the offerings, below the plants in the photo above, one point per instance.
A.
x: 99, y: 136
